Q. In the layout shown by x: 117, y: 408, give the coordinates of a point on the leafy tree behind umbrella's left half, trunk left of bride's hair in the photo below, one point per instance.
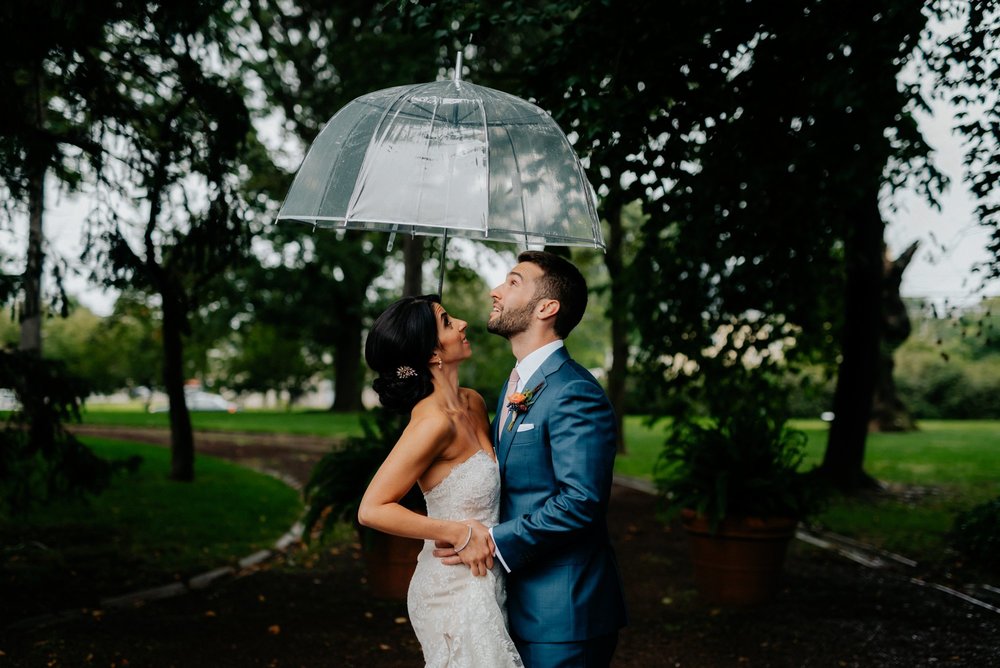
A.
x: 314, y: 59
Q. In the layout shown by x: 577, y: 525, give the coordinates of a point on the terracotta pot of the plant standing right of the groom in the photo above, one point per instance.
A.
x: 741, y: 563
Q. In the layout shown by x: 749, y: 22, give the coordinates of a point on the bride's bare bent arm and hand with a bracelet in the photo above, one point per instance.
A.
x: 423, y: 440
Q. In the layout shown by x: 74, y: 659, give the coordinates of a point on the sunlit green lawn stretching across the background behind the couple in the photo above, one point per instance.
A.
x: 950, y: 465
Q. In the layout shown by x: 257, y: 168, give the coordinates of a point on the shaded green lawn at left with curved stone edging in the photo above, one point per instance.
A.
x: 143, y: 531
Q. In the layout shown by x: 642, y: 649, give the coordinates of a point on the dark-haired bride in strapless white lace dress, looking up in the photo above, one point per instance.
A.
x: 458, y: 614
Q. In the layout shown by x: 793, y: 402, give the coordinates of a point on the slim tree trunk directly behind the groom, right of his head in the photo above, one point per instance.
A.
x: 619, y: 321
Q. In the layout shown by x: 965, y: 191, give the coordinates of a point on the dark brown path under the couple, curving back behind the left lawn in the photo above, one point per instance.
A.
x: 830, y: 613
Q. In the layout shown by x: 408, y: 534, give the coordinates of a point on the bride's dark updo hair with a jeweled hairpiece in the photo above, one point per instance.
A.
x: 399, y: 346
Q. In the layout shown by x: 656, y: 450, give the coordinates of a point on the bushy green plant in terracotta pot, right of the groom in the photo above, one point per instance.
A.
x: 733, y: 477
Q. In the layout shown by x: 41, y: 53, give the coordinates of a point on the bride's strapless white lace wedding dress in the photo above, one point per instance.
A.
x: 460, y: 619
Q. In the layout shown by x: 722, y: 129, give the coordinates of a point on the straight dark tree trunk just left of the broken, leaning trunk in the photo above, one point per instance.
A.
x: 843, y: 462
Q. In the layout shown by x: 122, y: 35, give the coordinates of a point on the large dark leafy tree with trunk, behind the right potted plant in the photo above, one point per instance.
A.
x: 775, y: 151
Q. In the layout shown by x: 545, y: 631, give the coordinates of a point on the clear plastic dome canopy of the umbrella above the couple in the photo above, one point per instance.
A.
x: 447, y: 158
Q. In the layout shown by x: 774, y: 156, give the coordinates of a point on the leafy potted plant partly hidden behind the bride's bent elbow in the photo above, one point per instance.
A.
x: 334, y: 492
